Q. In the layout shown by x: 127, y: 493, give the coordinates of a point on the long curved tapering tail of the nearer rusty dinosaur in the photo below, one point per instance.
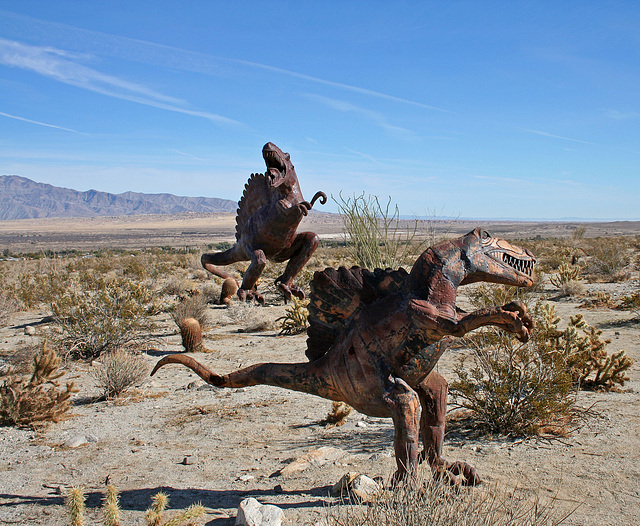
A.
x: 303, y: 377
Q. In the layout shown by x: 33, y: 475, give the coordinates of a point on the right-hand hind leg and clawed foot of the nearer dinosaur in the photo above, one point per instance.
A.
x: 433, y: 392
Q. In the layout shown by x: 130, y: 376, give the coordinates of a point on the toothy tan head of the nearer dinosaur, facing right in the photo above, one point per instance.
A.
x: 495, y: 260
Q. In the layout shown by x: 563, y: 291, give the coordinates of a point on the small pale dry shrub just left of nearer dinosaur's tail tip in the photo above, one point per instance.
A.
x: 119, y: 371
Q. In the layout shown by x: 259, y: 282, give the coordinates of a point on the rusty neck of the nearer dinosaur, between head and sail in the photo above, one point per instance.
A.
x: 435, y: 278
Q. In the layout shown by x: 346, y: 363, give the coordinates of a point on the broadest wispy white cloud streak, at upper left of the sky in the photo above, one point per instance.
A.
x: 55, y: 64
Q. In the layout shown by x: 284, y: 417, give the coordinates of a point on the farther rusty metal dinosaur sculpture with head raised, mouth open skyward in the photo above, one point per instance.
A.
x: 268, y: 216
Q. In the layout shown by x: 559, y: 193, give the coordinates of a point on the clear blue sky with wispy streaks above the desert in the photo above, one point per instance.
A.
x: 480, y: 109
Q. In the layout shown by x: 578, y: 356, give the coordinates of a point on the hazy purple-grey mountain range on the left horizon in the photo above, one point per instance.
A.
x: 22, y: 198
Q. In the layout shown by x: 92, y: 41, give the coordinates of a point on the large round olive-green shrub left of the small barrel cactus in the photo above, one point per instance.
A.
x: 98, y: 315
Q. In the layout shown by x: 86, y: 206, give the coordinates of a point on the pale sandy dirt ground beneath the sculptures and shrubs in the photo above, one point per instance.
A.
x: 218, y: 446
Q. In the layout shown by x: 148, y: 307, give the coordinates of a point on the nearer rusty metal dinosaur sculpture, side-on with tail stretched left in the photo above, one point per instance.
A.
x: 375, y: 337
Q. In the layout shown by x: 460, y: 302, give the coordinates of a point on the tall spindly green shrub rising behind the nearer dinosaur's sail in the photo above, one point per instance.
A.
x: 374, y: 232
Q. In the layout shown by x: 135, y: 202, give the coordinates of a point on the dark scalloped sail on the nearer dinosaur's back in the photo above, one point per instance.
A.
x: 337, y: 295
